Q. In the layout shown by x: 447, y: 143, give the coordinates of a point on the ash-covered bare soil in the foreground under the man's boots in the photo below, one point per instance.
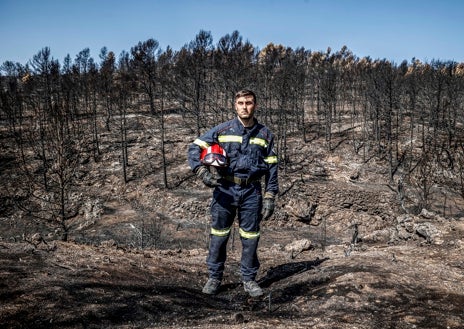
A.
x: 364, y: 285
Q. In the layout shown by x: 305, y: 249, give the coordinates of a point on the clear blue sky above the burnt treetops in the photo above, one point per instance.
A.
x: 391, y: 29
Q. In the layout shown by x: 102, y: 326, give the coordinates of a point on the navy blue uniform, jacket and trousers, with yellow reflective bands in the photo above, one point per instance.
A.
x: 252, y: 157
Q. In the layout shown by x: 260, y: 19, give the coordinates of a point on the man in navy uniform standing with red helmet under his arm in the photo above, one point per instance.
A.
x: 249, y: 147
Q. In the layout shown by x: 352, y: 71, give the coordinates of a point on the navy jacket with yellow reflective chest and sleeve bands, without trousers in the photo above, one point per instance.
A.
x: 250, y: 151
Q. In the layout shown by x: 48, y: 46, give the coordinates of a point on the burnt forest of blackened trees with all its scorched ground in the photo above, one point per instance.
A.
x: 103, y: 224
